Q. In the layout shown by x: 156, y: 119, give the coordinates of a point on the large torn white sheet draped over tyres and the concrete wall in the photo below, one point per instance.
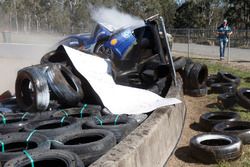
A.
x: 117, y: 98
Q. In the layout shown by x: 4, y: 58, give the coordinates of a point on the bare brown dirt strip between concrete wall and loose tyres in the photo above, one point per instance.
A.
x: 195, y: 107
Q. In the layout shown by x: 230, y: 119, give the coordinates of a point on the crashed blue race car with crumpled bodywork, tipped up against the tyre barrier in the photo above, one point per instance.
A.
x: 139, y: 54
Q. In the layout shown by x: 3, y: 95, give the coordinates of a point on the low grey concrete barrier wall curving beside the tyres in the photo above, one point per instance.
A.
x: 153, y: 142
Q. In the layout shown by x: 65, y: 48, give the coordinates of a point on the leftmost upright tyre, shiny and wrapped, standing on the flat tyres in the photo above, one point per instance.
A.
x: 32, y: 91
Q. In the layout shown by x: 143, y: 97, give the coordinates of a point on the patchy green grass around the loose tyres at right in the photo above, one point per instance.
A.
x: 213, y: 68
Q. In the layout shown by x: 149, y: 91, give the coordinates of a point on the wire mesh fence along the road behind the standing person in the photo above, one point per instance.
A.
x: 204, y: 42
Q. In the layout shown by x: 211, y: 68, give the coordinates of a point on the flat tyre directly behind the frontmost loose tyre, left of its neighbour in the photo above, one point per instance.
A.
x: 208, y: 120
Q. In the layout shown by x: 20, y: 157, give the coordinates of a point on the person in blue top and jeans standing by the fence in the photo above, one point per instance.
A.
x: 223, y: 31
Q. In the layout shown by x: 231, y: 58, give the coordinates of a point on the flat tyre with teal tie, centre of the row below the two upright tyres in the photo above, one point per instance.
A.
x: 53, y: 127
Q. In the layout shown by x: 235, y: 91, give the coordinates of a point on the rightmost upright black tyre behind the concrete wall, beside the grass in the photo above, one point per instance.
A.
x: 198, y: 76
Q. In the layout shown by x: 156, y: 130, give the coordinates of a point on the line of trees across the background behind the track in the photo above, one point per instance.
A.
x: 70, y: 16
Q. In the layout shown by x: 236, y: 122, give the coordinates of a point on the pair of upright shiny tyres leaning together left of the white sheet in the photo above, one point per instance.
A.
x: 37, y: 87
